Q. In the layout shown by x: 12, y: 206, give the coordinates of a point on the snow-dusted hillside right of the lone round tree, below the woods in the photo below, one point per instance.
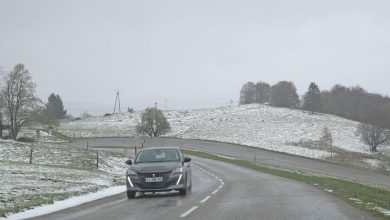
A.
x: 266, y: 127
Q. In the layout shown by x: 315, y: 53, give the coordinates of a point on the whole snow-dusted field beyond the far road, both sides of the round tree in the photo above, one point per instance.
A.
x: 253, y: 125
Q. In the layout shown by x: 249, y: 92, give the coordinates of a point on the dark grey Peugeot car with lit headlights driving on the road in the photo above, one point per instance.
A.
x: 159, y: 169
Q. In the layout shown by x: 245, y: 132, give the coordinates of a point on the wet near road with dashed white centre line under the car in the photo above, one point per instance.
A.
x: 222, y: 191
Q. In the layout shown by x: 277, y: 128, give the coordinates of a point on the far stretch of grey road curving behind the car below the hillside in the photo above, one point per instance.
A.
x: 252, y: 154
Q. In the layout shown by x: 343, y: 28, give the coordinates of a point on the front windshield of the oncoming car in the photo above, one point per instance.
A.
x: 158, y: 155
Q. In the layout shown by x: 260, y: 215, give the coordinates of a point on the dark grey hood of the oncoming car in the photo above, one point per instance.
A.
x: 155, y: 167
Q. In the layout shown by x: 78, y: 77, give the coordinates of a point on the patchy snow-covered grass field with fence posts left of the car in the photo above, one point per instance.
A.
x: 58, y: 171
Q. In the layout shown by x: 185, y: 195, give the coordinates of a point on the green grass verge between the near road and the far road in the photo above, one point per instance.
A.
x: 370, y: 199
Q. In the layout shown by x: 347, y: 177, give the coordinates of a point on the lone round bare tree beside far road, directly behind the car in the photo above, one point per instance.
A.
x: 153, y: 122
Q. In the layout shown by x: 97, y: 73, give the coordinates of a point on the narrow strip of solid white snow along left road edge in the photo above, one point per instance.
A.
x: 68, y: 203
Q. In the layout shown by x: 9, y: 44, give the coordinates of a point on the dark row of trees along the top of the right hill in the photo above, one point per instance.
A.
x: 349, y: 102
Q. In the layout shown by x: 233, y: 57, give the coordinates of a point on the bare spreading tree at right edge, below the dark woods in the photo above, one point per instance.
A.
x: 375, y: 130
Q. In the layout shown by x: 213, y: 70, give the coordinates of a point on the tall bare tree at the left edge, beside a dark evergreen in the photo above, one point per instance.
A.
x: 19, y: 94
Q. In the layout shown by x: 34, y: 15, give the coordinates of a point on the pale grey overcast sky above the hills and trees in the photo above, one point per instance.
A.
x: 194, y: 53
